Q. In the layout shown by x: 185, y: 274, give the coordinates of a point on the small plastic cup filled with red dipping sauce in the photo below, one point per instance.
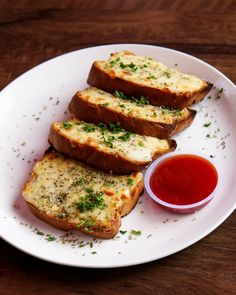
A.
x: 181, y: 182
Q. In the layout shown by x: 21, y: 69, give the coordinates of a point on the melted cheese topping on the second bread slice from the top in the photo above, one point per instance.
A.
x: 131, y: 109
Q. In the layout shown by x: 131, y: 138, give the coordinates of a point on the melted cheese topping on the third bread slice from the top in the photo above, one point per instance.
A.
x: 131, y: 146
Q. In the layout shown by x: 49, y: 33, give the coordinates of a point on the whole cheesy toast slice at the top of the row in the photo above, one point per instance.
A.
x: 144, y: 76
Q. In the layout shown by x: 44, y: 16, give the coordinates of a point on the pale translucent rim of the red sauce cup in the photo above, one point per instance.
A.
x: 159, y: 160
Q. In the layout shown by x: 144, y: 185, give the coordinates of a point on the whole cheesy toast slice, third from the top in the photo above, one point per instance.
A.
x: 108, y: 147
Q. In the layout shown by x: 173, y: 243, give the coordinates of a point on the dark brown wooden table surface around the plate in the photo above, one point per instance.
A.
x: 34, y: 31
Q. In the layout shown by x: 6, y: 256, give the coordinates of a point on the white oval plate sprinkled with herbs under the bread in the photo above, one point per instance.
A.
x: 35, y: 99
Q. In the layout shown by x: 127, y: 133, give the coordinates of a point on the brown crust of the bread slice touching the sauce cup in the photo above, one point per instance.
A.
x: 96, y: 158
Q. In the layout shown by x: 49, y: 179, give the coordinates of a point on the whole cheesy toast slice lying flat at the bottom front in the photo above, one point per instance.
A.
x: 70, y: 195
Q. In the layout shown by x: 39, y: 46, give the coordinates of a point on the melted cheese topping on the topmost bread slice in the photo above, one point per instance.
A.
x: 149, y: 72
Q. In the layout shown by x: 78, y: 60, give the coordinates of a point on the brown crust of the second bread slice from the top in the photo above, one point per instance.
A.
x: 94, y: 113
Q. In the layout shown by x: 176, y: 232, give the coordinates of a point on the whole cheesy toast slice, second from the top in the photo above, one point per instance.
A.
x: 133, y: 114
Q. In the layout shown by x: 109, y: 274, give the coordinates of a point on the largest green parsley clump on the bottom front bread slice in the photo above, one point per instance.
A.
x: 90, y: 201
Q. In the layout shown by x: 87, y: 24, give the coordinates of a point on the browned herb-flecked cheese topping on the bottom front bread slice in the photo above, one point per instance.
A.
x: 59, y: 183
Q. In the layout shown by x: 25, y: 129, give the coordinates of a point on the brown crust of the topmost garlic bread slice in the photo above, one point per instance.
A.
x: 110, y: 83
